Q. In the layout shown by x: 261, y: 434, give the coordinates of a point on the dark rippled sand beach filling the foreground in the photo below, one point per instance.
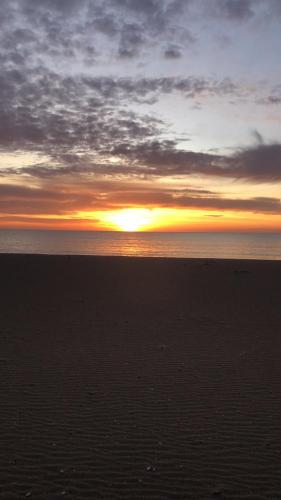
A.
x: 139, y: 378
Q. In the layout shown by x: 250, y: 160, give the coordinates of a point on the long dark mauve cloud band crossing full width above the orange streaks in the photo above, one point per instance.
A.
x: 161, y: 159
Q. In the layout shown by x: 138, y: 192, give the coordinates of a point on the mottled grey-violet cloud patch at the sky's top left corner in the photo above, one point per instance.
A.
x: 64, y: 28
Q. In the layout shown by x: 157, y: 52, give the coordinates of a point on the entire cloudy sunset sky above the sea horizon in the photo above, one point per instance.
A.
x: 140, y: 115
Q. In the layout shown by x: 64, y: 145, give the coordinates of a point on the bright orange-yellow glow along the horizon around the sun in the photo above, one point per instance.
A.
x: 147, y: 219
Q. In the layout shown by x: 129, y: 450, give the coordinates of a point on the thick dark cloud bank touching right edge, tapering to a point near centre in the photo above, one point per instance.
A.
x: 260, y: 163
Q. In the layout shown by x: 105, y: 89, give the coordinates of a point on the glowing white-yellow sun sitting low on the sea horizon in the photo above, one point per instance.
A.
x: 132, y: 219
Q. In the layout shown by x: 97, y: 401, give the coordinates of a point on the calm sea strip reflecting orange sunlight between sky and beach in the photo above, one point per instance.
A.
x: 196, y: 245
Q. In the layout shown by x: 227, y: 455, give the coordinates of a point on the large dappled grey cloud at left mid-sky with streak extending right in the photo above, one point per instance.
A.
x: 42, y: 109
